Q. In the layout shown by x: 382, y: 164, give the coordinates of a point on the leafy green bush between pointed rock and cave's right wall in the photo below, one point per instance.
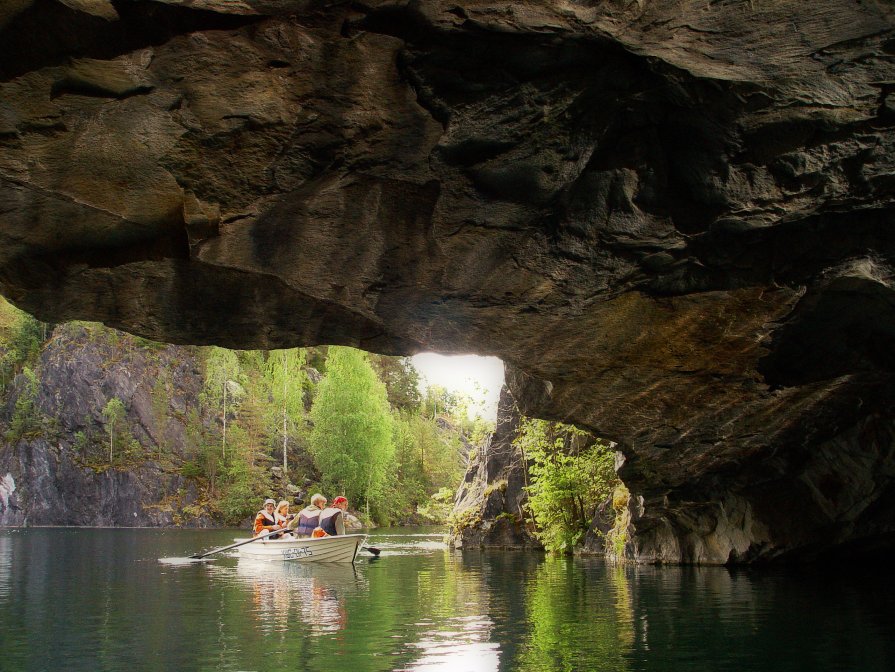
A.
x: 570, y: 477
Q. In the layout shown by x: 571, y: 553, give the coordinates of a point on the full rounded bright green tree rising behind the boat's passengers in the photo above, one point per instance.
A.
x: 351, y: 439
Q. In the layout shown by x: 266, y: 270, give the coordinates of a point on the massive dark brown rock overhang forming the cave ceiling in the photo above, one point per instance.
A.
x: 671, y: 218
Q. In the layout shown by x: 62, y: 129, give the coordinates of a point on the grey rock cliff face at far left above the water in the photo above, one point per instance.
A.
x: 48, y: 476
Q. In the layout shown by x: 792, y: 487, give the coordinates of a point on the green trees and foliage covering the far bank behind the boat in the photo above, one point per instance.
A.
x: 372, y: 438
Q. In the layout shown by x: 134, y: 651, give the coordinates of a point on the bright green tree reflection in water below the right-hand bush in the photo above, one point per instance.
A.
x: 558, y: 597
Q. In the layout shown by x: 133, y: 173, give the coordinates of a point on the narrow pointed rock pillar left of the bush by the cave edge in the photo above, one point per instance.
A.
x: 490, y: 506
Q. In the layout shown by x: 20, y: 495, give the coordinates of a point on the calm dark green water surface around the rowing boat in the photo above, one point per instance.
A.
x: 79, y: 599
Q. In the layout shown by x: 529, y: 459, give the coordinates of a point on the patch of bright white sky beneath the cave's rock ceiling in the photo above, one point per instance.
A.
x: 462, y: 374
